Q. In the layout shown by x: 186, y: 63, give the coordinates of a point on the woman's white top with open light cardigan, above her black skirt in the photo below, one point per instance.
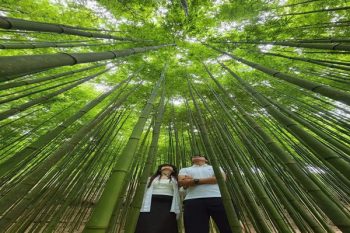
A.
x: 147, y: 198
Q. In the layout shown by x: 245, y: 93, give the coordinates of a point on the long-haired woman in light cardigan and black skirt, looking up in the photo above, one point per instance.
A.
x: 161, y: 202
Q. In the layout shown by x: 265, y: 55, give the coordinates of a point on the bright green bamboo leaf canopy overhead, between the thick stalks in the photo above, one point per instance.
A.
x: 247, y: 25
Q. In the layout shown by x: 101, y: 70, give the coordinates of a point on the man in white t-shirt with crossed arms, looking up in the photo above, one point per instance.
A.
x: 203, y: 198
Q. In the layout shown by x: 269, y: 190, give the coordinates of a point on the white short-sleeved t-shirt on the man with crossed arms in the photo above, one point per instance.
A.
x: 203, y: 190
